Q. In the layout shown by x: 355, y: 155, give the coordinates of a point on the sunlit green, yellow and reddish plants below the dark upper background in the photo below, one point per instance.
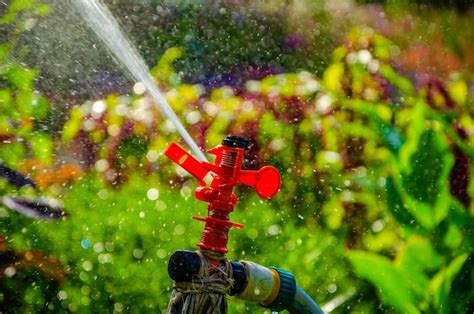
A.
x: 375, y: 204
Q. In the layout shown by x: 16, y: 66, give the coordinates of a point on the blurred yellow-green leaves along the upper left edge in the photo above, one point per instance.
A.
x: 24, y: 111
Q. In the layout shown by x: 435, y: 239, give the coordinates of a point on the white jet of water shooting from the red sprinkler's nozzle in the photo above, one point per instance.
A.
x: 102, y: 22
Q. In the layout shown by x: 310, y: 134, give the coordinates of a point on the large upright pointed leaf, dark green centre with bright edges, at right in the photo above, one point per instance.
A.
x: 425, y: 162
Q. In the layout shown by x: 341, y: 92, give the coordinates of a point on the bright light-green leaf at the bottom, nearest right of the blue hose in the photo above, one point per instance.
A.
x: 390, y: 282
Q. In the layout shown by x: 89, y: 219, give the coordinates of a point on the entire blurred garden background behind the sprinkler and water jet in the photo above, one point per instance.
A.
x: 365, y: 107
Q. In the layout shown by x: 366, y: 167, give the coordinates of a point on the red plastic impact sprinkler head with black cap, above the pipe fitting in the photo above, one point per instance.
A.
x: 217, y: 181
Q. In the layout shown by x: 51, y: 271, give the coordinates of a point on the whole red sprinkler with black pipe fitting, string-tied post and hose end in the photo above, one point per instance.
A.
x: 203, y: 278
